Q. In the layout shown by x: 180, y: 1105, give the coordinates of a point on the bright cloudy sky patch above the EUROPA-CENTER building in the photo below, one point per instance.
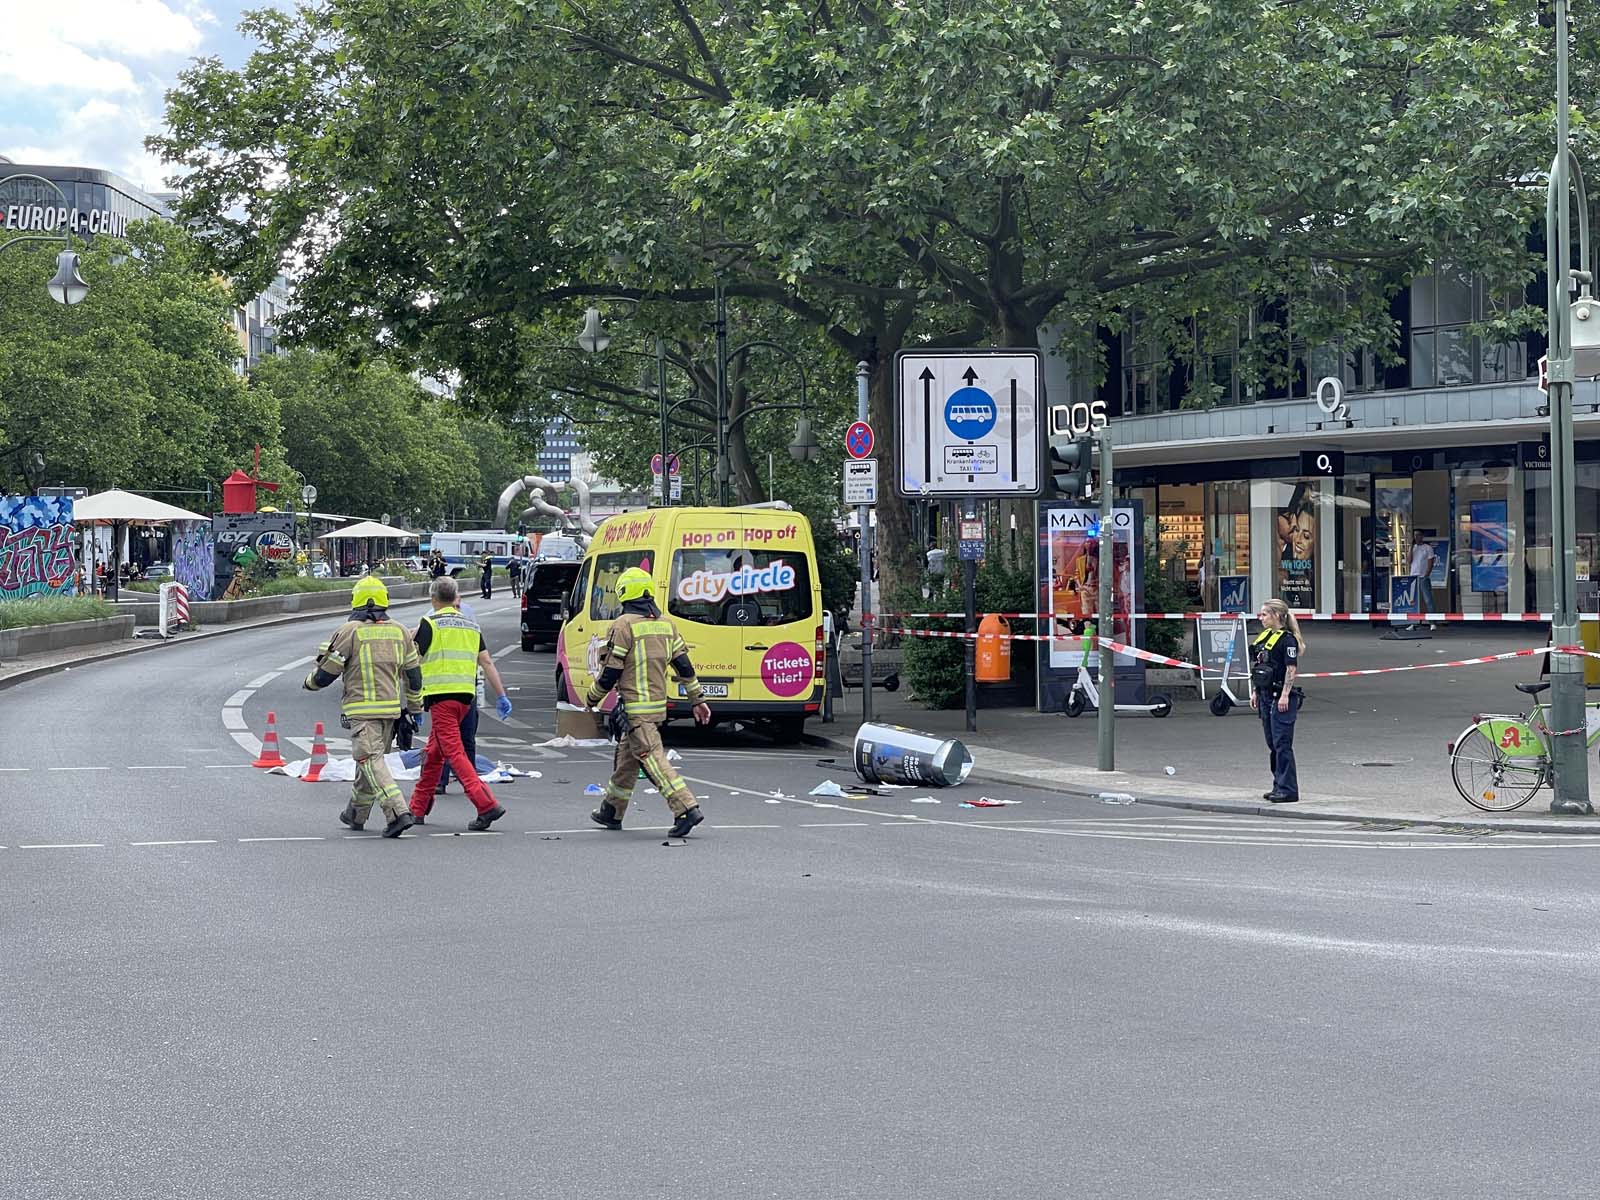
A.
x: 86, y: 78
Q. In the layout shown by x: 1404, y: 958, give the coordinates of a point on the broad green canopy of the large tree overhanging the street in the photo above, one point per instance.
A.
x: 460, y: 180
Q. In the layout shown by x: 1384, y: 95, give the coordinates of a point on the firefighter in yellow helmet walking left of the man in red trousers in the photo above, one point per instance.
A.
x: 383, y: 678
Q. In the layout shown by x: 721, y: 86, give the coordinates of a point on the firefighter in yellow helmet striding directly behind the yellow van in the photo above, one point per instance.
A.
x: 641, y: 654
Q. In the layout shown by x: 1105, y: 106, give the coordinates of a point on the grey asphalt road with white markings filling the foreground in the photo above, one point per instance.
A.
x: 210, y: 990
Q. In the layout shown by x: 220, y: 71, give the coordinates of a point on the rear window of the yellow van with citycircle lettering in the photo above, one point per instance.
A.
x: 740, y: 588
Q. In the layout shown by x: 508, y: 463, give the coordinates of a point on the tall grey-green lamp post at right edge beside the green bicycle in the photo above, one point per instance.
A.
x: 1567, y: 682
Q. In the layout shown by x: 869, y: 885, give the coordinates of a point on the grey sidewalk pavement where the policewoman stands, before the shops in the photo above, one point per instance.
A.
x: 1367, y: 750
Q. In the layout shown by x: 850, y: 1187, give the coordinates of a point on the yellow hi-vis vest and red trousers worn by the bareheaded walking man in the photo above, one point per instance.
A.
x: 450, y: 644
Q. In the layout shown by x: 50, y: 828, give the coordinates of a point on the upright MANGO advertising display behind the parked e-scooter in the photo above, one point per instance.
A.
x: 1070, y: 566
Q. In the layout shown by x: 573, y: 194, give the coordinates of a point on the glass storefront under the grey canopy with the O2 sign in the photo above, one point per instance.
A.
x: 1338, y: 545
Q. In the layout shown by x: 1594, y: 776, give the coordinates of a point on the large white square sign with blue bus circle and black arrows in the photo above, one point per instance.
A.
x: 970, y: 423
